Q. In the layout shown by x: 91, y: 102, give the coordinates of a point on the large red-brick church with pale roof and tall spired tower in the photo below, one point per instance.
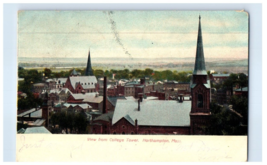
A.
x: 145, y: 116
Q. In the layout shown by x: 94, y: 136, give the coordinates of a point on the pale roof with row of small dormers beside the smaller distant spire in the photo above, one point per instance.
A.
x: 87, y: 82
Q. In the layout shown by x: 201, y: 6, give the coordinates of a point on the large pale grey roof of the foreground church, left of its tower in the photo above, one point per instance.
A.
x: 154, y: 112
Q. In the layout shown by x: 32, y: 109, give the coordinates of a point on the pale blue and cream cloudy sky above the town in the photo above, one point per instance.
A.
x: 131, y: 34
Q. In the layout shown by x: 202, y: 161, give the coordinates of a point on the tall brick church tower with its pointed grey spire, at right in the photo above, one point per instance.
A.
x: 200, y: 91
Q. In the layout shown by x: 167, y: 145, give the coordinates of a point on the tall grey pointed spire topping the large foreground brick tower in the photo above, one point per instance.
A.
x: 200, y: 68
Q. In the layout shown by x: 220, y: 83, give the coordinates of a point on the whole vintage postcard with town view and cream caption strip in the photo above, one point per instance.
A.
x: 154, y: 85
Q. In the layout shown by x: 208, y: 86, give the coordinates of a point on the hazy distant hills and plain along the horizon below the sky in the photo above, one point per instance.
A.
x: 179, y: 64
